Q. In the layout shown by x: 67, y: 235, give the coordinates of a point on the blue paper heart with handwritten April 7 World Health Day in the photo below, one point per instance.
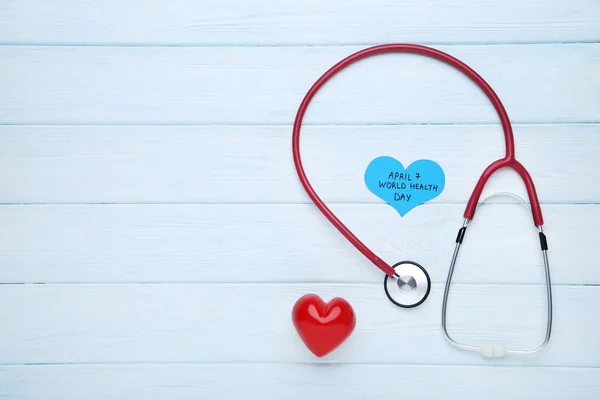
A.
x: 404, y: 189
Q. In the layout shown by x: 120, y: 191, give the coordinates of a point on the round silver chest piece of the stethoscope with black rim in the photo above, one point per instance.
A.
x: 409, y: 287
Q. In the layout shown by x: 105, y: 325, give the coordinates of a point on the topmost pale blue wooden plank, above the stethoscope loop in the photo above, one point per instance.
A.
x: 282, y: 22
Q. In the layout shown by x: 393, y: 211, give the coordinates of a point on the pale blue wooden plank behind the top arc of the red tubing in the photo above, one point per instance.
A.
x: 241, y: 85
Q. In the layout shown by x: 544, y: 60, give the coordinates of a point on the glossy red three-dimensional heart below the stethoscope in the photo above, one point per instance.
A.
x: 323, y: 326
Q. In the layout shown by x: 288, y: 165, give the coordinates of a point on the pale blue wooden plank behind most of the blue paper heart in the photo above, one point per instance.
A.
x: 240, y: 164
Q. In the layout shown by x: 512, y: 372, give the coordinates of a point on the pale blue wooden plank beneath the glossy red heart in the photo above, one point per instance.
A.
x: 251, y: 323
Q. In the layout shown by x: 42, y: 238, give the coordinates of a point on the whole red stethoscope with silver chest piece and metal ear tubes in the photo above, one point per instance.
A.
x: 413, y: 283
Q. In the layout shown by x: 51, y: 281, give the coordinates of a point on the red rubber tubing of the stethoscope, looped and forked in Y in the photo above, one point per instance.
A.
x: 509, y: 159
